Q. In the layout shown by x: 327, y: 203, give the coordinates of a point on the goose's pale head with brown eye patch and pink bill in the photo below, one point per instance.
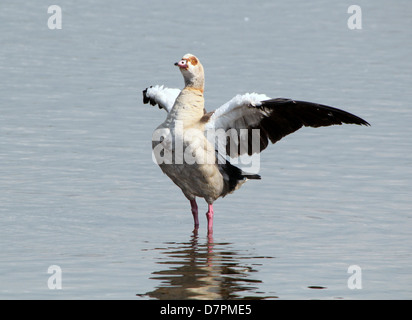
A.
x: 192, y: 71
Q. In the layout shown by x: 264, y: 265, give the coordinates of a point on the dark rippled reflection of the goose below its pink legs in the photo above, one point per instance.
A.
x: 205, y: 271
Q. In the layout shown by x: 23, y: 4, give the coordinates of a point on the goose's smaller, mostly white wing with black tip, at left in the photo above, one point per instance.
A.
x: 161, y: 96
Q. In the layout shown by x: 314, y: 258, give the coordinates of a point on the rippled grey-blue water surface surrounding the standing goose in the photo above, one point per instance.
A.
x: 79, y: 189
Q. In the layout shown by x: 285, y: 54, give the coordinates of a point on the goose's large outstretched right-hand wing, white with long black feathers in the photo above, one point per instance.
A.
x: 274, y: 119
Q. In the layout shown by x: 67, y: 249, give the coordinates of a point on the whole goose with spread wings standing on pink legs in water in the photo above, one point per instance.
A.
x: 200, y: 165
